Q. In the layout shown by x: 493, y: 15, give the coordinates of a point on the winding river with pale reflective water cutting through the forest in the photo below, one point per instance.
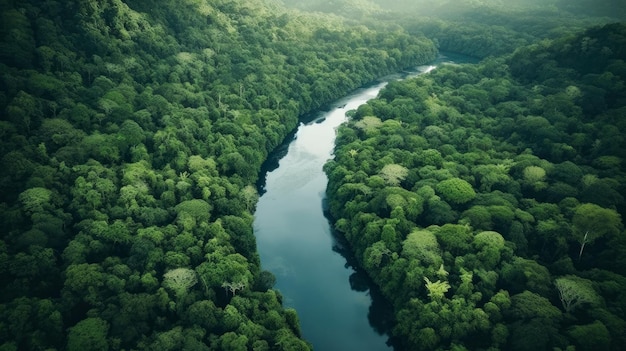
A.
x: 295, y: 240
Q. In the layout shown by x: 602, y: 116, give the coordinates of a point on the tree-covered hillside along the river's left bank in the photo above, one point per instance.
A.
x: 133, y: 133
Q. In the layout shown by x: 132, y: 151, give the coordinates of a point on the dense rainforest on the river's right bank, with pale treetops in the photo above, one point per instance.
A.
x: 486, y: 201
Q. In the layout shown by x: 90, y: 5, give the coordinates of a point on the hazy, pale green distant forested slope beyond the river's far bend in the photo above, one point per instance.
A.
x: 478, y: 28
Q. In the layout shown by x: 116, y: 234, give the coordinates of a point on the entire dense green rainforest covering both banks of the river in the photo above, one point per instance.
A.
x: 484, y: 200
